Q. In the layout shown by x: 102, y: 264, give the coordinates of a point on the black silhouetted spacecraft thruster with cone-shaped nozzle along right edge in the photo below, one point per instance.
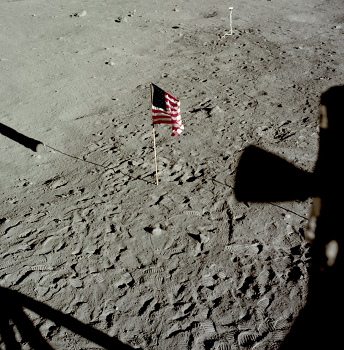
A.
x: 259, y: 178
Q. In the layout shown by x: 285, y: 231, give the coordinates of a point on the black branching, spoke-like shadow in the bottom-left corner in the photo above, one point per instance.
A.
x: 12, y: 304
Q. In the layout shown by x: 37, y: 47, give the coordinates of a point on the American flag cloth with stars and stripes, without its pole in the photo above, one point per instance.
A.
x: 166, y: 110
